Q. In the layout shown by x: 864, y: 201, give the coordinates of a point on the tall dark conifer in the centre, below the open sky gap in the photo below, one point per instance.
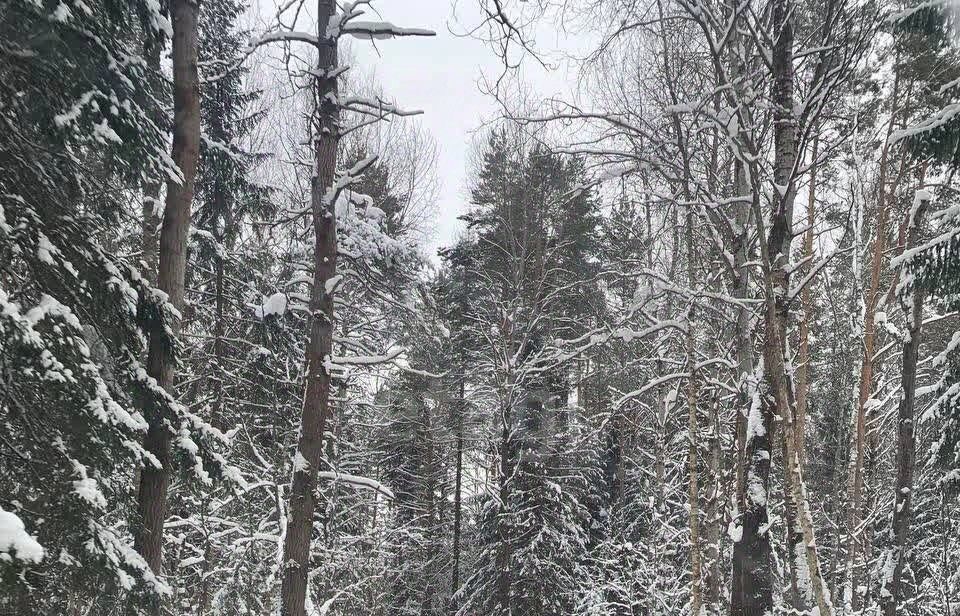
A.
x: 532, y: 232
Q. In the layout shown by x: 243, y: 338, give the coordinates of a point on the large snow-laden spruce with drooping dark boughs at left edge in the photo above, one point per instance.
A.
x: 77, y: 134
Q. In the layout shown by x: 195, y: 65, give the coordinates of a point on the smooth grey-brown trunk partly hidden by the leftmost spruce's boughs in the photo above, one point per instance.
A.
x: 154, y: 482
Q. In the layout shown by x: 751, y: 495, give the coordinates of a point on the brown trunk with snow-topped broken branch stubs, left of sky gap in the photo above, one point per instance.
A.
x: 316, y: 409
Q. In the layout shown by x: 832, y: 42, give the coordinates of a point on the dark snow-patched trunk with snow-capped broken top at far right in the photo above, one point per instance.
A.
x: 906, y: 438
